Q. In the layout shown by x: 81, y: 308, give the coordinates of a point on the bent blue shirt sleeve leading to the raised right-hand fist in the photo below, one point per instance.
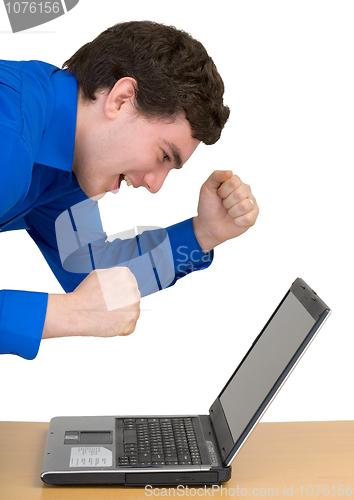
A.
x: 74, y: 243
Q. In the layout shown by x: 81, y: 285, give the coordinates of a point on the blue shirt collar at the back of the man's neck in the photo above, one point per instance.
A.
x: 58, y: 141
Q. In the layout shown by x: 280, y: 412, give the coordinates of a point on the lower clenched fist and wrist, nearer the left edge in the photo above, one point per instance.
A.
x: 105, y: 304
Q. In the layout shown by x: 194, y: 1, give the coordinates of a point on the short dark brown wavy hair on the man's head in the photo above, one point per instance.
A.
x: 173, y: 71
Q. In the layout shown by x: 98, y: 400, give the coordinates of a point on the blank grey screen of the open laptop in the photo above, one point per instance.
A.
x: 264, y: 364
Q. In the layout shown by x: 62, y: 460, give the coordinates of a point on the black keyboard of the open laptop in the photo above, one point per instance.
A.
x: 159, y: 441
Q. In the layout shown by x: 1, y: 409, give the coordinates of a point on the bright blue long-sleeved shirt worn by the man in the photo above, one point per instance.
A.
x: 40, y: 193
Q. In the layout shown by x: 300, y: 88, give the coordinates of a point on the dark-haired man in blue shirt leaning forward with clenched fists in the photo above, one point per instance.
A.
x: 133, y: 104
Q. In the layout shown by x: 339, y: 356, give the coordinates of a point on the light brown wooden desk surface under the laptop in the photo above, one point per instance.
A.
x: 276, y: 456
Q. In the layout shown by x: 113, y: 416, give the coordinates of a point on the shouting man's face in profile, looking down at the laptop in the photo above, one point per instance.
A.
x: 128, y: 144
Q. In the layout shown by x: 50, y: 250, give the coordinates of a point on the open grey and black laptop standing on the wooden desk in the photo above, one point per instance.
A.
x: 188, y: 449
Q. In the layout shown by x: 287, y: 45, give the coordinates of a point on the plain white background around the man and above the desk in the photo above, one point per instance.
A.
x: 288, y: 72
